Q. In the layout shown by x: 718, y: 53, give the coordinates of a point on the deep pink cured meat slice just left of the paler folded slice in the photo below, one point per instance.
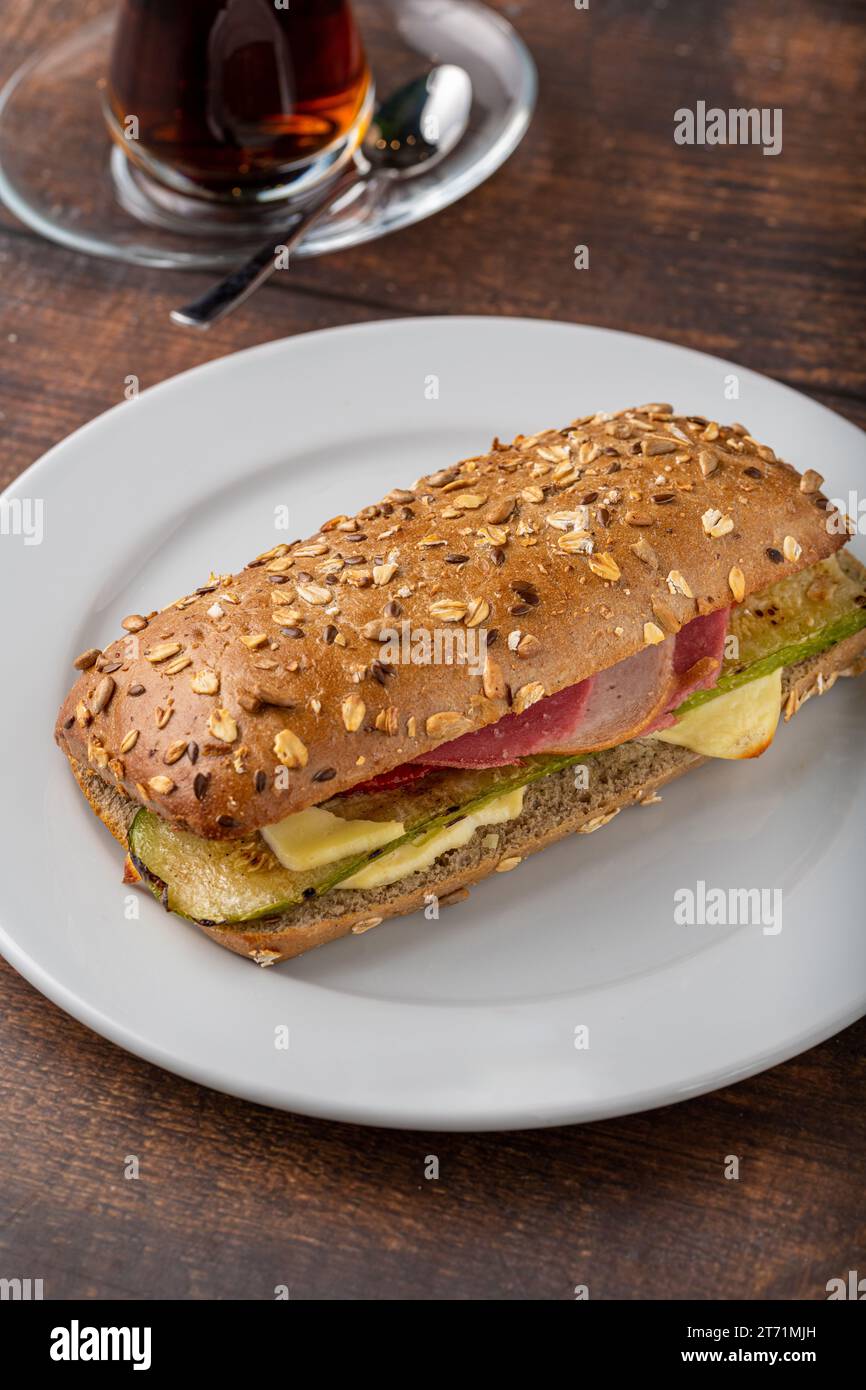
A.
x: 546, y: 725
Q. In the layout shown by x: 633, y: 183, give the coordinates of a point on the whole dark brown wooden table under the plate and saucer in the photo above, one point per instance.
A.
x: 753, y: 258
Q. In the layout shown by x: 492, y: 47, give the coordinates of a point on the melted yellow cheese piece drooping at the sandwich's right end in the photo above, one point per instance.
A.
x: 739, y: 725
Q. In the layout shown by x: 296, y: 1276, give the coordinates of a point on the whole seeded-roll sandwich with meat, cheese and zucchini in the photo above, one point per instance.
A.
x: 514, y: 650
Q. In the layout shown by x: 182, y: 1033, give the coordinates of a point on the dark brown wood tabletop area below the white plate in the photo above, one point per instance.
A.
x: 234, y: 1200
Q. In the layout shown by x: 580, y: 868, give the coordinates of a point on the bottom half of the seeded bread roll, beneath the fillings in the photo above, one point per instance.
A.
x: 554, y: 808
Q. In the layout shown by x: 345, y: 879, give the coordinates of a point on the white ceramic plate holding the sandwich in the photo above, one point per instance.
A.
x: 468, y: 1022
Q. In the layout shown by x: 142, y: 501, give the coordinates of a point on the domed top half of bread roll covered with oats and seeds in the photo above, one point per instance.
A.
x: 265, y: 693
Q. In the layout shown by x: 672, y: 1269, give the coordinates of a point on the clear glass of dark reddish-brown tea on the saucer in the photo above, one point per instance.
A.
x: 237, y: 101
